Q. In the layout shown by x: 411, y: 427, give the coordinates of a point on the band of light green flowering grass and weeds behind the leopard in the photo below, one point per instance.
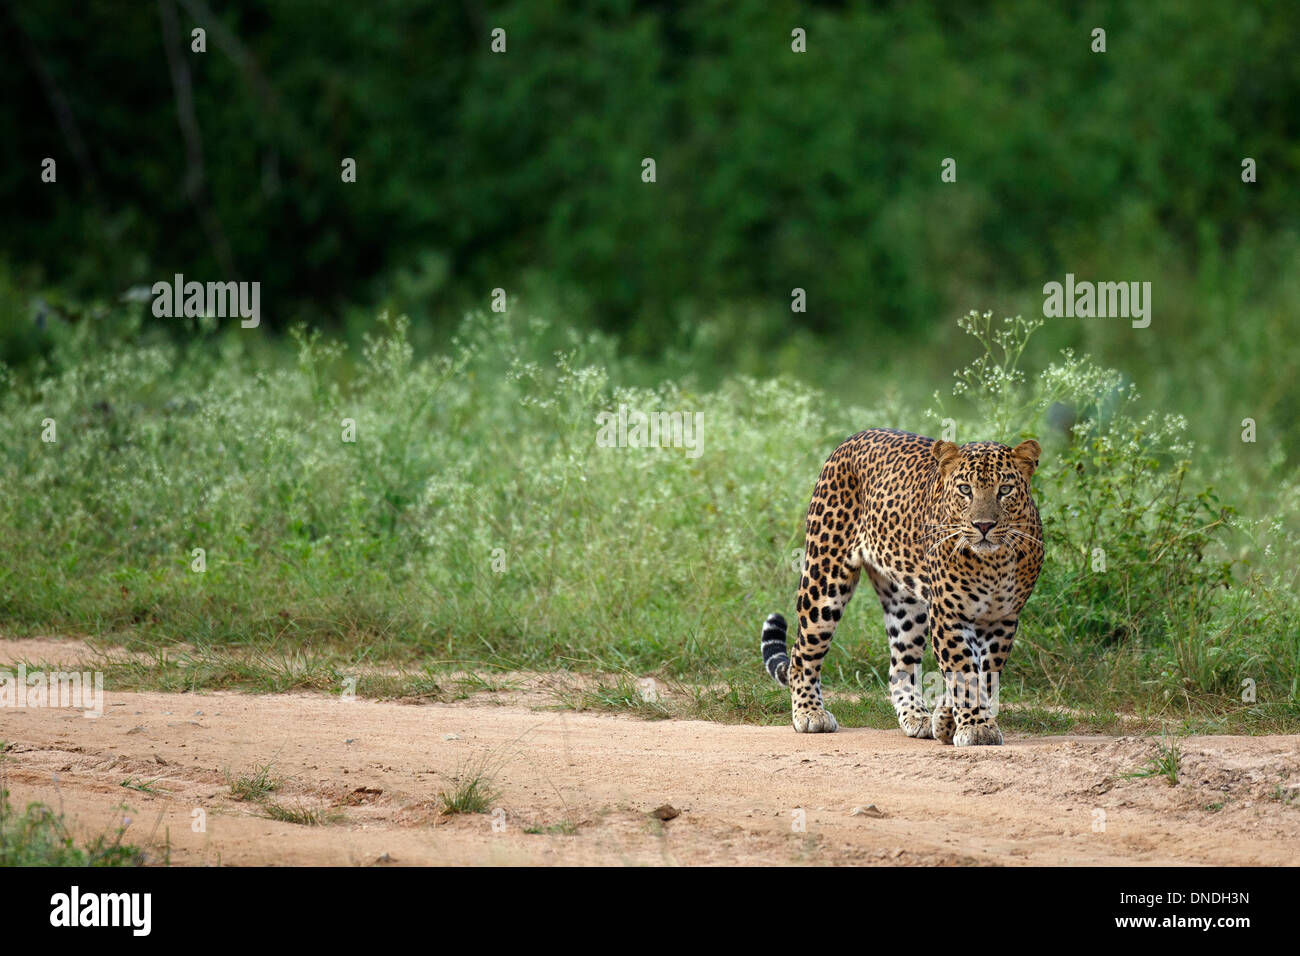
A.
x: 476, y: 527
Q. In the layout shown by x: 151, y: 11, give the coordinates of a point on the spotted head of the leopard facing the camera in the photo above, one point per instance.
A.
x: 985, y: 500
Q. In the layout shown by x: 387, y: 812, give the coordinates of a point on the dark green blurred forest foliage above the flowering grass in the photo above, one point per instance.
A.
x: 775, y: 170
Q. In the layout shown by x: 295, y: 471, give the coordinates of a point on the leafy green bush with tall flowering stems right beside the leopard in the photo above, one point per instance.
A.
x: 1137, y: 552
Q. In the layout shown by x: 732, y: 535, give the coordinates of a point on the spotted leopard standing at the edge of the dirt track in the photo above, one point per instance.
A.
x: 952, y: 542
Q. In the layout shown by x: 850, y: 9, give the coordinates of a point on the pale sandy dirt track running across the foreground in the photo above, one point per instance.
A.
x: 587, y: 786
